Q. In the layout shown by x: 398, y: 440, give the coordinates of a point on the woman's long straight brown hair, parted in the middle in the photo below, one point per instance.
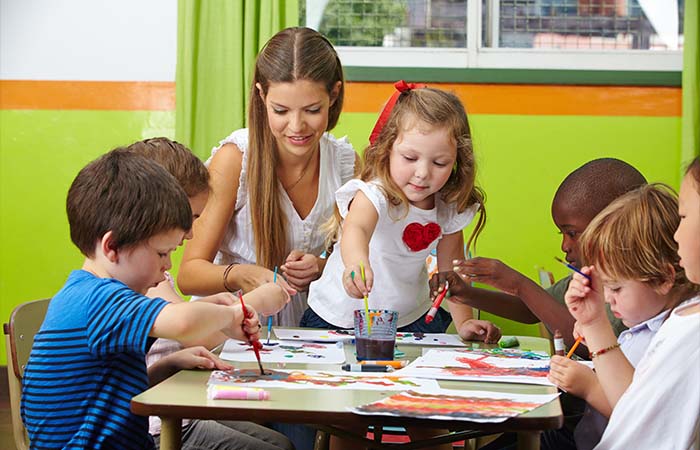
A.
x: 290, y: 55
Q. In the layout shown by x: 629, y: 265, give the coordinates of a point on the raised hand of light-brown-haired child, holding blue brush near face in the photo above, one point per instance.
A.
x: 584, y: 298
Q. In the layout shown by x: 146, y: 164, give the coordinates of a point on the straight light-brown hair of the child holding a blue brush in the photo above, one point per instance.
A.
x: 632, y: 239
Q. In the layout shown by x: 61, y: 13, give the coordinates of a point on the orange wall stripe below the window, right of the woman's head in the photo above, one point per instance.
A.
x: 536, y: 99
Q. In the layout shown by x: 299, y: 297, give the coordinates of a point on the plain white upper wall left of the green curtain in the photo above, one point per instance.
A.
x: 101, y: 40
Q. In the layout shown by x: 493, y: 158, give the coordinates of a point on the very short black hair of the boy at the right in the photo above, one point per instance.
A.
x: 595, y: 184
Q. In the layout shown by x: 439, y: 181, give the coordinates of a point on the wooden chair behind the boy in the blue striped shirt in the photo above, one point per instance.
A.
x: 19, y: 338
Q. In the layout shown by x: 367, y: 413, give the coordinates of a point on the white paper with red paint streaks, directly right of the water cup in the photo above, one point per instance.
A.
x: 478, y: 366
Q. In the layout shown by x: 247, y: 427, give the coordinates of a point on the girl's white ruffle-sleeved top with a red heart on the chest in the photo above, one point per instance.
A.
x: 397, y: 254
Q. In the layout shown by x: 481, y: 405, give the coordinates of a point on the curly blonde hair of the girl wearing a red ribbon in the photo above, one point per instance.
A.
x: 437, y: 109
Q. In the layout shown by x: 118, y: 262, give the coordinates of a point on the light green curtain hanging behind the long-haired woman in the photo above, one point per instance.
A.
x: 217, y: 44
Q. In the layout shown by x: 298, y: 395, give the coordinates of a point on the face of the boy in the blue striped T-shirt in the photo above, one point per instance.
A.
x: 141, y: 267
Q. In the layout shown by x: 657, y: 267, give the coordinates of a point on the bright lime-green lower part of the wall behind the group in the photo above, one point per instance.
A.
x: 521, y: 161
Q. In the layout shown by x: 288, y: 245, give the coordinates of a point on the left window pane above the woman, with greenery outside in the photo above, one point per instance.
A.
x: 389, y: 23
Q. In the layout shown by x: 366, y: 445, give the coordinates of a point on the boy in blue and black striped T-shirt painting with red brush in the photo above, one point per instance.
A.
x: 126, y: 215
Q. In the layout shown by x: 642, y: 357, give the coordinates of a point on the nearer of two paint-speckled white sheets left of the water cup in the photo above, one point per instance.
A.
x: 285, y: 352
